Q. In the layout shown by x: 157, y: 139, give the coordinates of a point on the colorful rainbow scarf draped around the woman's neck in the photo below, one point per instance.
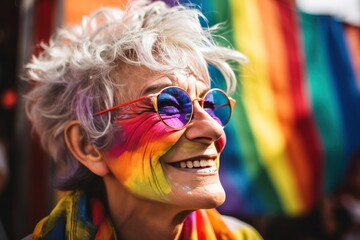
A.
x: 75, y: 217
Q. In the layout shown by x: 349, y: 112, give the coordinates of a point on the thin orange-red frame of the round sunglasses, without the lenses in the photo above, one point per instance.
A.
x: 154, y: 99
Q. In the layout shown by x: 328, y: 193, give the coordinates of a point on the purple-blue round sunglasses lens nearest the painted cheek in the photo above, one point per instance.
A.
x: 174, y: 107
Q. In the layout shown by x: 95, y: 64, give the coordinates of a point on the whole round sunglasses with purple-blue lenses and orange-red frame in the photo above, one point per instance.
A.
x: 175, y: 109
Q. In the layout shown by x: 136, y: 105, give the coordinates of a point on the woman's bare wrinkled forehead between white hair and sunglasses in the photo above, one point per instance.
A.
x: 139, y: 80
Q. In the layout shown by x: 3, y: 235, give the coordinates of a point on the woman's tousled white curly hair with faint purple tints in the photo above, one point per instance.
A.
x: 74, y: 75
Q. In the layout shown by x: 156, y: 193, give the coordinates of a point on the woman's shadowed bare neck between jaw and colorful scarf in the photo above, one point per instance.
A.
x: 137, y: 218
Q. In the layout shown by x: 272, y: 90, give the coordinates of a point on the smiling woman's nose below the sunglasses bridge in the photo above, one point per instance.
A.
x: 203, y: 128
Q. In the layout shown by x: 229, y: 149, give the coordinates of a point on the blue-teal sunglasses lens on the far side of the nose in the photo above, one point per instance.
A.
x: 217, y: 105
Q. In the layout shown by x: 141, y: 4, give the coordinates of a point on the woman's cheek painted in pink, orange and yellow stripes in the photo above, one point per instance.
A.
x: 134, y: 156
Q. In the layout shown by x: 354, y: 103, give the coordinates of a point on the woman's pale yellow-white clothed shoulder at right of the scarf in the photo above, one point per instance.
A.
x: 240, y: 229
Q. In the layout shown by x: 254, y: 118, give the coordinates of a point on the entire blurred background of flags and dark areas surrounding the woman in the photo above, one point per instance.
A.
x: 291, y: 167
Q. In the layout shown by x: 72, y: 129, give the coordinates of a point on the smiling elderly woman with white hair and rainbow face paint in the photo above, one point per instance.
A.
x: 123, y: 103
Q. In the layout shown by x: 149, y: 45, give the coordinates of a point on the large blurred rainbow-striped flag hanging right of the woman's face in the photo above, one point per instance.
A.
x: 297, y: 119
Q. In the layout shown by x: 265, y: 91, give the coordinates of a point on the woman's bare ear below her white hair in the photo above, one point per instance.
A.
x: 85, y: 152
